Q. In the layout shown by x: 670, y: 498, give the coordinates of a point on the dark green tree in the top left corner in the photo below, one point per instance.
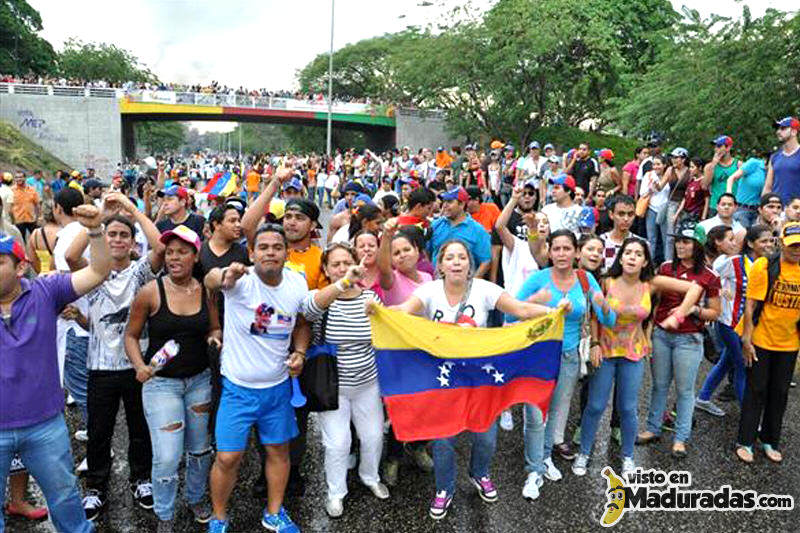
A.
x: 22, y: 51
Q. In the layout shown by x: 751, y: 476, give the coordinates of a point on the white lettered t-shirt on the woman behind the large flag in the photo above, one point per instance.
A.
x: 483, y: 296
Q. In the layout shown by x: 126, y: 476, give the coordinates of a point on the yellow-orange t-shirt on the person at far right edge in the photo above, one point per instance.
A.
x: 777, y: 327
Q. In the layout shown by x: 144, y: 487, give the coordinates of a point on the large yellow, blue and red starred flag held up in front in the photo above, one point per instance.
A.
x: 438, y: 380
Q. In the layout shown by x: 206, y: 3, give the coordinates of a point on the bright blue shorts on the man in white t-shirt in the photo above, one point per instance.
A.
x: 240, y: 408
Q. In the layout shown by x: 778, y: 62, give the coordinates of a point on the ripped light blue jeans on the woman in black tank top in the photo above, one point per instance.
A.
x: 177, y: 412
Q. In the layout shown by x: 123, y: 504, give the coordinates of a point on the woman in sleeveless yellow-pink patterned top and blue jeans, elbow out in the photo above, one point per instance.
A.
x: 628, y: 288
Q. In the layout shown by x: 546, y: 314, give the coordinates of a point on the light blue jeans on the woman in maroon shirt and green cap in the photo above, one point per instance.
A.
x: 675, y: 355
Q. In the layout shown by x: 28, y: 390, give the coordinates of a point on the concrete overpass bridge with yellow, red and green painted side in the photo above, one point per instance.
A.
x: 94, y: 127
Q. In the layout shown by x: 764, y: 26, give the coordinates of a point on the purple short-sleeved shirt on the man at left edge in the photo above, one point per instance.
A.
x: 30, y: 387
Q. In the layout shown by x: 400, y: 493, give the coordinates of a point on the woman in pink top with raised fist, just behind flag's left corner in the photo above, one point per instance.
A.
x: 398, y: 256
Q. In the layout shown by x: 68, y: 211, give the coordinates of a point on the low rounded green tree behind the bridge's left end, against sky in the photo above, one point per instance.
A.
x: 101, y: 61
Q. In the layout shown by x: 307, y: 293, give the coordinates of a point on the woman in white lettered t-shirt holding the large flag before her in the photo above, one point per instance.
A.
x: 458, y: 298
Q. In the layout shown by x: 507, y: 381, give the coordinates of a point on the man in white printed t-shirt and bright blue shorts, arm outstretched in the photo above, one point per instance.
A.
x: 263, y: 307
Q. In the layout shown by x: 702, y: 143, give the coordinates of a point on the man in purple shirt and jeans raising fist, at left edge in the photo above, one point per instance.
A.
x: 31, y: 419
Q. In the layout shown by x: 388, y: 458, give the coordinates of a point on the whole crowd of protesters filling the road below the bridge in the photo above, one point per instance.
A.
x: 196, y: 311
